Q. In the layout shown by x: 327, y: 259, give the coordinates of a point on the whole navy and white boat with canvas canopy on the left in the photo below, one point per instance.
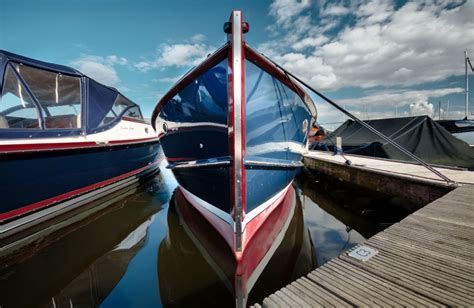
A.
x: 64, y: 139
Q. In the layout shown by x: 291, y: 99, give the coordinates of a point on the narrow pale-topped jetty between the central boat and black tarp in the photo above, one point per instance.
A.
x: 414, y: 182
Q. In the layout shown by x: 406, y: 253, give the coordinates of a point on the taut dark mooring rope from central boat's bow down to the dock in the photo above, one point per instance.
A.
x: 370, y: 128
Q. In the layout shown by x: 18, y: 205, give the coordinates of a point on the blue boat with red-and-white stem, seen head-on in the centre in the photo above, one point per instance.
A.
x: 234, y: 130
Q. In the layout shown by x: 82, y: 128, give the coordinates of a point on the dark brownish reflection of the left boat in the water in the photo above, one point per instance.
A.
x: 83, y: 263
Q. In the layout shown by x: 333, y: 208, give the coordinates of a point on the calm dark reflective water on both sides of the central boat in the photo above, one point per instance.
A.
x: 137, y: 252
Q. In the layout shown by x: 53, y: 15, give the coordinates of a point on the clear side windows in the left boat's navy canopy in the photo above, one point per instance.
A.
x: 58, y: 96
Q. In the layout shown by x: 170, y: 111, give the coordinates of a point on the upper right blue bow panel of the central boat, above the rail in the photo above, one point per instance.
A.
x: 284, y: 113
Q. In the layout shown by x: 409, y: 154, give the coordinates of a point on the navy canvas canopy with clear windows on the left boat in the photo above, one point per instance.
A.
x: 40, y: 99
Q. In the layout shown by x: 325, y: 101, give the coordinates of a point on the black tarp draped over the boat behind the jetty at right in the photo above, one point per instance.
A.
x: 420, y: 135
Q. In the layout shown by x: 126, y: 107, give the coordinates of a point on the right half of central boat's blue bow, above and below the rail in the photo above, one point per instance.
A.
x: 275, y: 115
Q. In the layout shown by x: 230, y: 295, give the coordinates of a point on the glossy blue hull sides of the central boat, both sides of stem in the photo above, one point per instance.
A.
x: 276, y: 121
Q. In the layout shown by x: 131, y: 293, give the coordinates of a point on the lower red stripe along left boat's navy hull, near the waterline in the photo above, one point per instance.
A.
x: 44, y: 203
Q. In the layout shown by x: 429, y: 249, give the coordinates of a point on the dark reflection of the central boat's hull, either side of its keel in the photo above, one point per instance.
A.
x: 197, y: 267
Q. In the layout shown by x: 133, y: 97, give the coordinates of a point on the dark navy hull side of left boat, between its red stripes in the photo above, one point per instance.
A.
x: 28, y: 178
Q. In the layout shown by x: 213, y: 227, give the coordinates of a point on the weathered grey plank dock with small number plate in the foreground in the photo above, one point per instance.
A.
x: 427, y: 259
